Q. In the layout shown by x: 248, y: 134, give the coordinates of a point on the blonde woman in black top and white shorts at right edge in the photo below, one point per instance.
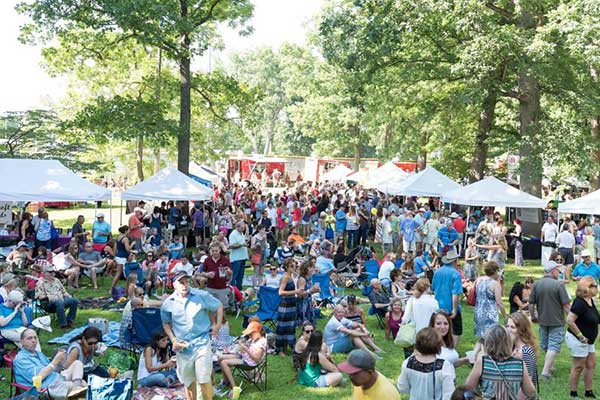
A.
x: 583, y: 320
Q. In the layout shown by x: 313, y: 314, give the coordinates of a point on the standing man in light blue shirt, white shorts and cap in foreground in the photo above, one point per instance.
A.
x: 187, y: 316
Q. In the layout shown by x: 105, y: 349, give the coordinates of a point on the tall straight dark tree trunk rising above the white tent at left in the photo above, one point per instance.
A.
x: 183, y: 140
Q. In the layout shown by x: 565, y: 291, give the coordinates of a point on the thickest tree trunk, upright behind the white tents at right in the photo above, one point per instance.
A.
x: 530, y: 112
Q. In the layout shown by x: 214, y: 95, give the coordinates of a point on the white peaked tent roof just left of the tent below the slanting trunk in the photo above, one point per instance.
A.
x: 429, y: 182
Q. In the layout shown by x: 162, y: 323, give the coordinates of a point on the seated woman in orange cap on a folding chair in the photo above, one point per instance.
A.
x: 251, y: 353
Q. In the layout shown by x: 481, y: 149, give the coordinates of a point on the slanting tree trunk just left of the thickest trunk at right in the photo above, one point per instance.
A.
x: 484, y: 127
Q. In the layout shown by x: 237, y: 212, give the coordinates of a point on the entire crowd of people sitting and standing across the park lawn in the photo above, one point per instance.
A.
x: 291, y: 241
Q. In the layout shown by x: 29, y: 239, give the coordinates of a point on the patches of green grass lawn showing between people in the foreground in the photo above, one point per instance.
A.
x: 280, y: 372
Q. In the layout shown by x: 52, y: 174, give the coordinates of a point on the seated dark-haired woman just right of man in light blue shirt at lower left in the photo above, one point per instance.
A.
x: 82, y: 347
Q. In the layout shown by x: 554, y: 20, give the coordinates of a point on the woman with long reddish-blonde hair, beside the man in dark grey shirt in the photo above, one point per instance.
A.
x: 524, y: 344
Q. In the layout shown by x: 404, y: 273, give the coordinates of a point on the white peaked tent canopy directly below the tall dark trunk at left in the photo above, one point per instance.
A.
x: 168, y: 184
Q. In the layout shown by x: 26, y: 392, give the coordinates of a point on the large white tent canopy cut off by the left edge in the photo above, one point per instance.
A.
x: 45, y: 180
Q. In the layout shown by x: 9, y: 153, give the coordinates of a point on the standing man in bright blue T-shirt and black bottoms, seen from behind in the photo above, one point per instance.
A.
x: 447, y: 285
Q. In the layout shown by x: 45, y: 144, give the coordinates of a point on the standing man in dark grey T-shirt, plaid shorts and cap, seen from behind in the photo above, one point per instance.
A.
x: 549, y: 298
